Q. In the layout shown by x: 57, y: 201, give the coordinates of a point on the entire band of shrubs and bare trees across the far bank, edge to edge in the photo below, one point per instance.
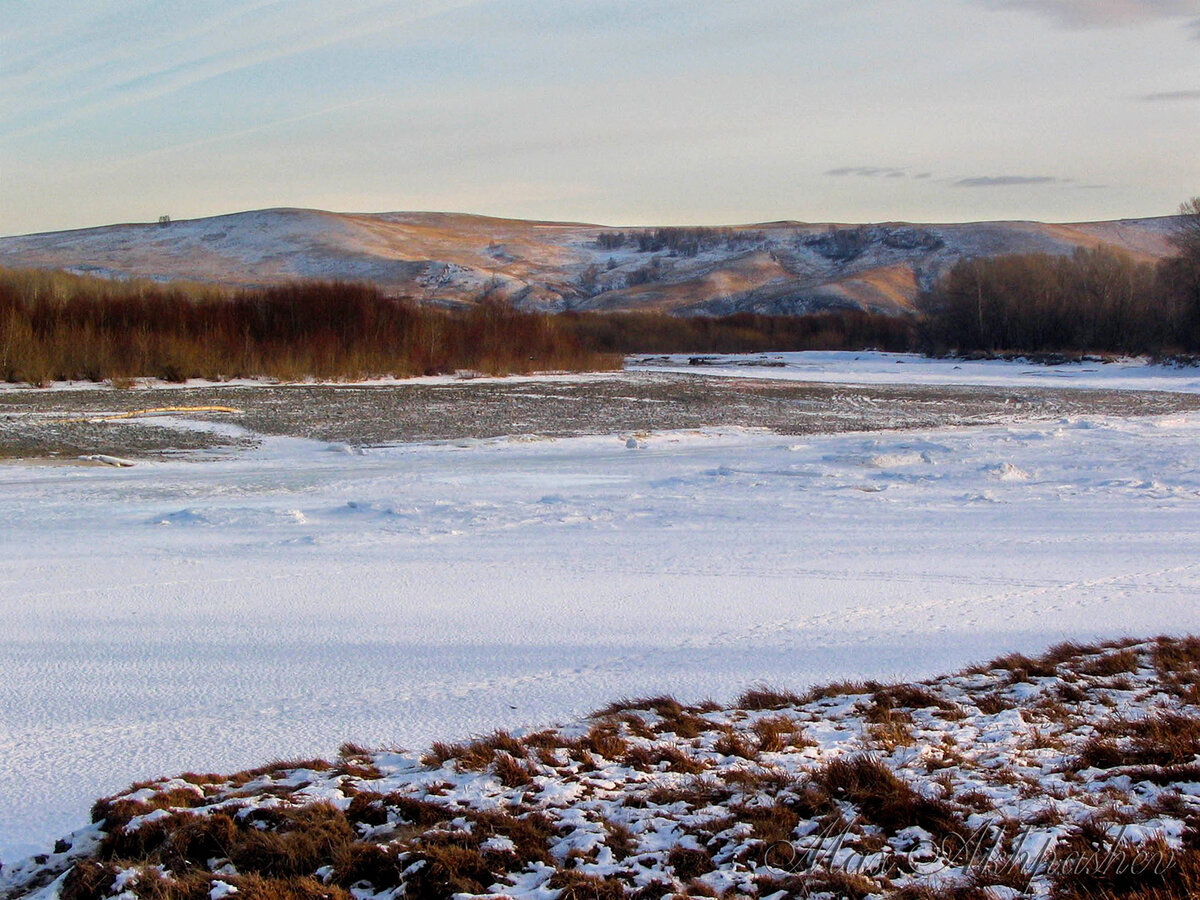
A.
x: 61, y: 327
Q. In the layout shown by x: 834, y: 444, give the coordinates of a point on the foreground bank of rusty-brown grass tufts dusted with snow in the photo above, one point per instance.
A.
x: 1057, y: 776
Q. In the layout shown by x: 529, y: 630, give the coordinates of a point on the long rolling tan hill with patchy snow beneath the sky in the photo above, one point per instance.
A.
x: 775, y: 268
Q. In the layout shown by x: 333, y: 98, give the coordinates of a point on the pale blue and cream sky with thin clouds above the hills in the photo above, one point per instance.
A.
x: 619, y: 112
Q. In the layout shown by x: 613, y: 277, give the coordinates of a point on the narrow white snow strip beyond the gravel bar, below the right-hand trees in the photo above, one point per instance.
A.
x: 910, y: 369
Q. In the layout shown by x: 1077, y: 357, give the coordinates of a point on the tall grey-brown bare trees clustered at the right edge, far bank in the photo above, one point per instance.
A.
x: 1095, y: 301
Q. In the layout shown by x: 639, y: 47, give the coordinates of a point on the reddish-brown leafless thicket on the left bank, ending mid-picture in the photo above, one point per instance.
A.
x: 58, y: 327
